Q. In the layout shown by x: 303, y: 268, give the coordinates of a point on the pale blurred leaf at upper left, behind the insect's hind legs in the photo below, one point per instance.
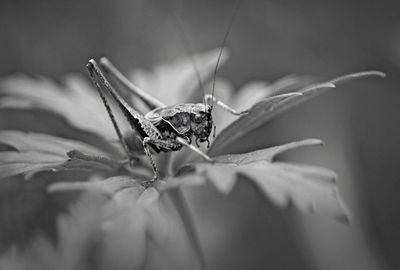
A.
x: 76, y: 101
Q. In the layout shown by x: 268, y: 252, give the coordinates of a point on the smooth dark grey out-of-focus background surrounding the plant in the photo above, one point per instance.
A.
x: 269, y: 39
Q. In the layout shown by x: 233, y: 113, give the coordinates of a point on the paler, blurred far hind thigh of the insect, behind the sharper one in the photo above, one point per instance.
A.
x: 149, y: 100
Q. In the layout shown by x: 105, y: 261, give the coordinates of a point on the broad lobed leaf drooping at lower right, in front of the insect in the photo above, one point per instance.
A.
x: 308, y: 188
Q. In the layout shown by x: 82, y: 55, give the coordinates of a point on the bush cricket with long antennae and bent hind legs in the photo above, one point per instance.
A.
x: 164, y: 128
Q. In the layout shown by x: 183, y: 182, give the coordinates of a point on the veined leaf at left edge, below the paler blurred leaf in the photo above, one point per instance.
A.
x: 39, y: 152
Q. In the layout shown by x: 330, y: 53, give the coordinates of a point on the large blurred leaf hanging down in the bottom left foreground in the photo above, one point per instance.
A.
x: 99, y: 233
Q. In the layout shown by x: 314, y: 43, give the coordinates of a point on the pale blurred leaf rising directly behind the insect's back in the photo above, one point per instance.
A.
x: 176, y: 82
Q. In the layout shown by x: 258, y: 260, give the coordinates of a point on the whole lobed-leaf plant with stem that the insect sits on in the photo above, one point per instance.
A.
x: 115, y: 217
